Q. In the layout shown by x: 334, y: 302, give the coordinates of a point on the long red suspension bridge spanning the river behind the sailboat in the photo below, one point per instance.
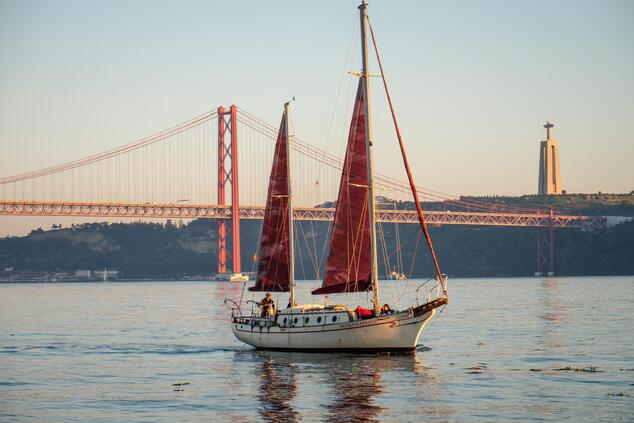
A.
x: 167, y: 175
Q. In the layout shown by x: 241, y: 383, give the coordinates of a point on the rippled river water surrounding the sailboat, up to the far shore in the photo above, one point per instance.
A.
x: 524, y: 349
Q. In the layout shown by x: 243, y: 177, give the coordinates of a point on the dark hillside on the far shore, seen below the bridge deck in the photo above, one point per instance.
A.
x: 167, y: 251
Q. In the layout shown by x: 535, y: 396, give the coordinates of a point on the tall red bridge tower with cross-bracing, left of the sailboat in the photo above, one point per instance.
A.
x: 227, y: 122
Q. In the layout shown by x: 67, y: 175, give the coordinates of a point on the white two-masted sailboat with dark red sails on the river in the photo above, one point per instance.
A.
x: 352, y: 262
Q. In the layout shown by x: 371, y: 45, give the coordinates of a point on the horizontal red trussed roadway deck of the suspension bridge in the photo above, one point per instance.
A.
x: 191, y: 211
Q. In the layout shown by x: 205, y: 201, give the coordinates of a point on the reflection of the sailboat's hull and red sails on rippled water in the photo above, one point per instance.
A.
x: 294, y: 385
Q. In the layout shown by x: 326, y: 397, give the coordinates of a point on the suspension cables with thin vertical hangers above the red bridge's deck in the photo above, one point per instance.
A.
x: 133, y: 173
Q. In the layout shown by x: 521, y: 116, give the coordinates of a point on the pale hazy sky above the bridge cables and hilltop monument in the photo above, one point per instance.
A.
x: 473, y: 81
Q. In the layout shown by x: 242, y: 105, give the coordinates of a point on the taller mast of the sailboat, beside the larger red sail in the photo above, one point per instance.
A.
x: 374, y: 271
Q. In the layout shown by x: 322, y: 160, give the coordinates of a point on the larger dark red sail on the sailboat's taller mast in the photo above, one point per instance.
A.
x: 349, y: 262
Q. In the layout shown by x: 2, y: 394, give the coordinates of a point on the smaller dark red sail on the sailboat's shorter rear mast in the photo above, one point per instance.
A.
x: 274, y: 252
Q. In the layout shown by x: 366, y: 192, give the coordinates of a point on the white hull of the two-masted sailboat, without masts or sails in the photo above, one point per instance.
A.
x: 395, y: 332
